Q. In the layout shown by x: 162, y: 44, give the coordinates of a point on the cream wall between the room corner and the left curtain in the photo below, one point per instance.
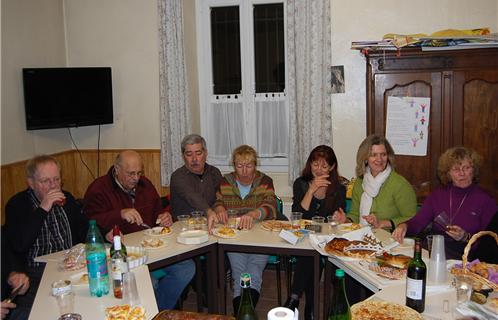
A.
x: 121, y: 34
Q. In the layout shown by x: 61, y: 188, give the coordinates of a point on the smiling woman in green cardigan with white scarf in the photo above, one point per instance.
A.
x: 381, y: 197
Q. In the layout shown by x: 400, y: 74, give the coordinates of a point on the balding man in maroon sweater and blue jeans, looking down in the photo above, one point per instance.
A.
x: 126, y: 198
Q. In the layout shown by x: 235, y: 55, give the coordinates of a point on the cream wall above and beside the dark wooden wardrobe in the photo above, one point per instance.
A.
x: 370, y: 20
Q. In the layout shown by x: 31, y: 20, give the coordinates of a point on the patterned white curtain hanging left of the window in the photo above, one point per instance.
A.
x: 173, y: 91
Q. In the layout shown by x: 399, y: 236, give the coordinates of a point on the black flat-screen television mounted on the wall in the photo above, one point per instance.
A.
x: 67, y: 97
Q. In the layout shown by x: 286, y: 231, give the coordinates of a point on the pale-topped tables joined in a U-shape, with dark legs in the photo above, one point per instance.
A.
x: 256, y: 240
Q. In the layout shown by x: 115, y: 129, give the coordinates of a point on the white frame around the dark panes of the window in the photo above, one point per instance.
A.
x: 204, y: 63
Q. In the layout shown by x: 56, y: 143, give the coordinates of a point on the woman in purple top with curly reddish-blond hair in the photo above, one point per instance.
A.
x: 457, y: 210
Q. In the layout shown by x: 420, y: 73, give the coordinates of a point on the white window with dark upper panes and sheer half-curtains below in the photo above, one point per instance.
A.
x: 242, y: 78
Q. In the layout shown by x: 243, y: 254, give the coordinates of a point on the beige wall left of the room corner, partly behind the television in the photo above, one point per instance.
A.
x: 32, y: 36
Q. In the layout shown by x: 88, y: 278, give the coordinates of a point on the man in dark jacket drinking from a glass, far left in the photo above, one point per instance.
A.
x: 39, y: 220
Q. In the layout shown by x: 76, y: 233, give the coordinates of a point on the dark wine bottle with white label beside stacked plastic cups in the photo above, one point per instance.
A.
x: 416, y: 278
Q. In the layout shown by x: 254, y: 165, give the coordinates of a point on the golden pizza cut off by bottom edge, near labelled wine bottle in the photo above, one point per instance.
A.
x: 383, y: 310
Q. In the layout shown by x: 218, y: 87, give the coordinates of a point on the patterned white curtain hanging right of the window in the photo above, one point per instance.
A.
x: 309, y: 59
